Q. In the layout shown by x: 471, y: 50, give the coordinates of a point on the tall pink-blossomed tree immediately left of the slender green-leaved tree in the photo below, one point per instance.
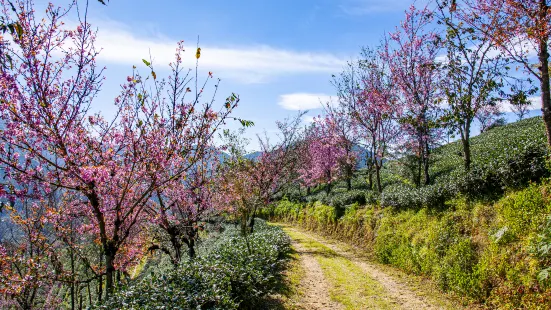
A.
x: 411, y: 52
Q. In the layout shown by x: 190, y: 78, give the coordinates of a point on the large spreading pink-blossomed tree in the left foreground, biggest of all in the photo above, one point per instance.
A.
x: 52, y: 141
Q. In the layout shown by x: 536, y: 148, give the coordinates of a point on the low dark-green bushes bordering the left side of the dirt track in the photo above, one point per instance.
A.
x: 232, y: 271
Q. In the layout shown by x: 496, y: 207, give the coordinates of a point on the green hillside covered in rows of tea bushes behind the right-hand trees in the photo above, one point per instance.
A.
x: 505, y: 157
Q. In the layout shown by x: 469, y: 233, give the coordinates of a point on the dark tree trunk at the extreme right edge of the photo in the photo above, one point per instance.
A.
x: 545, y: 91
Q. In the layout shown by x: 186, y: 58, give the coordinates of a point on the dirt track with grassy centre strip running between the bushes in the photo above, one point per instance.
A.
x: 332, y: 277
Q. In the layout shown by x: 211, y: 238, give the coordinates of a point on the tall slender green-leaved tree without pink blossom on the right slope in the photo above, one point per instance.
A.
x: 474, y: 74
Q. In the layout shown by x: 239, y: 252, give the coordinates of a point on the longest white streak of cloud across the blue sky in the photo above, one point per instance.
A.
x: 247, y: 64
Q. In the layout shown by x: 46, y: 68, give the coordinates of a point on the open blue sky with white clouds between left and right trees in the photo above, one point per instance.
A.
x: 277, y: 55
